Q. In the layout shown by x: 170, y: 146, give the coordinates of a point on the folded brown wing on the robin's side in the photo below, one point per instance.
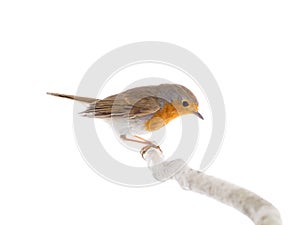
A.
x: 121, y: 106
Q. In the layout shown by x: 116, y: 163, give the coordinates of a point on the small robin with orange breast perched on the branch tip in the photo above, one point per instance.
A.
x: 140, y: 110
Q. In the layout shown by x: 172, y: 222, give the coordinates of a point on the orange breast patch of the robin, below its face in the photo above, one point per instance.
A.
x: 161, y: 117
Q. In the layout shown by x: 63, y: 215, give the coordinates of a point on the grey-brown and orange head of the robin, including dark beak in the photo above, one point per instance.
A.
x: 183, y: 100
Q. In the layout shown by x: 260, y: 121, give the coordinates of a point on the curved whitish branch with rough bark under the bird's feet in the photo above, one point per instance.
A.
x: 256, y: 208
